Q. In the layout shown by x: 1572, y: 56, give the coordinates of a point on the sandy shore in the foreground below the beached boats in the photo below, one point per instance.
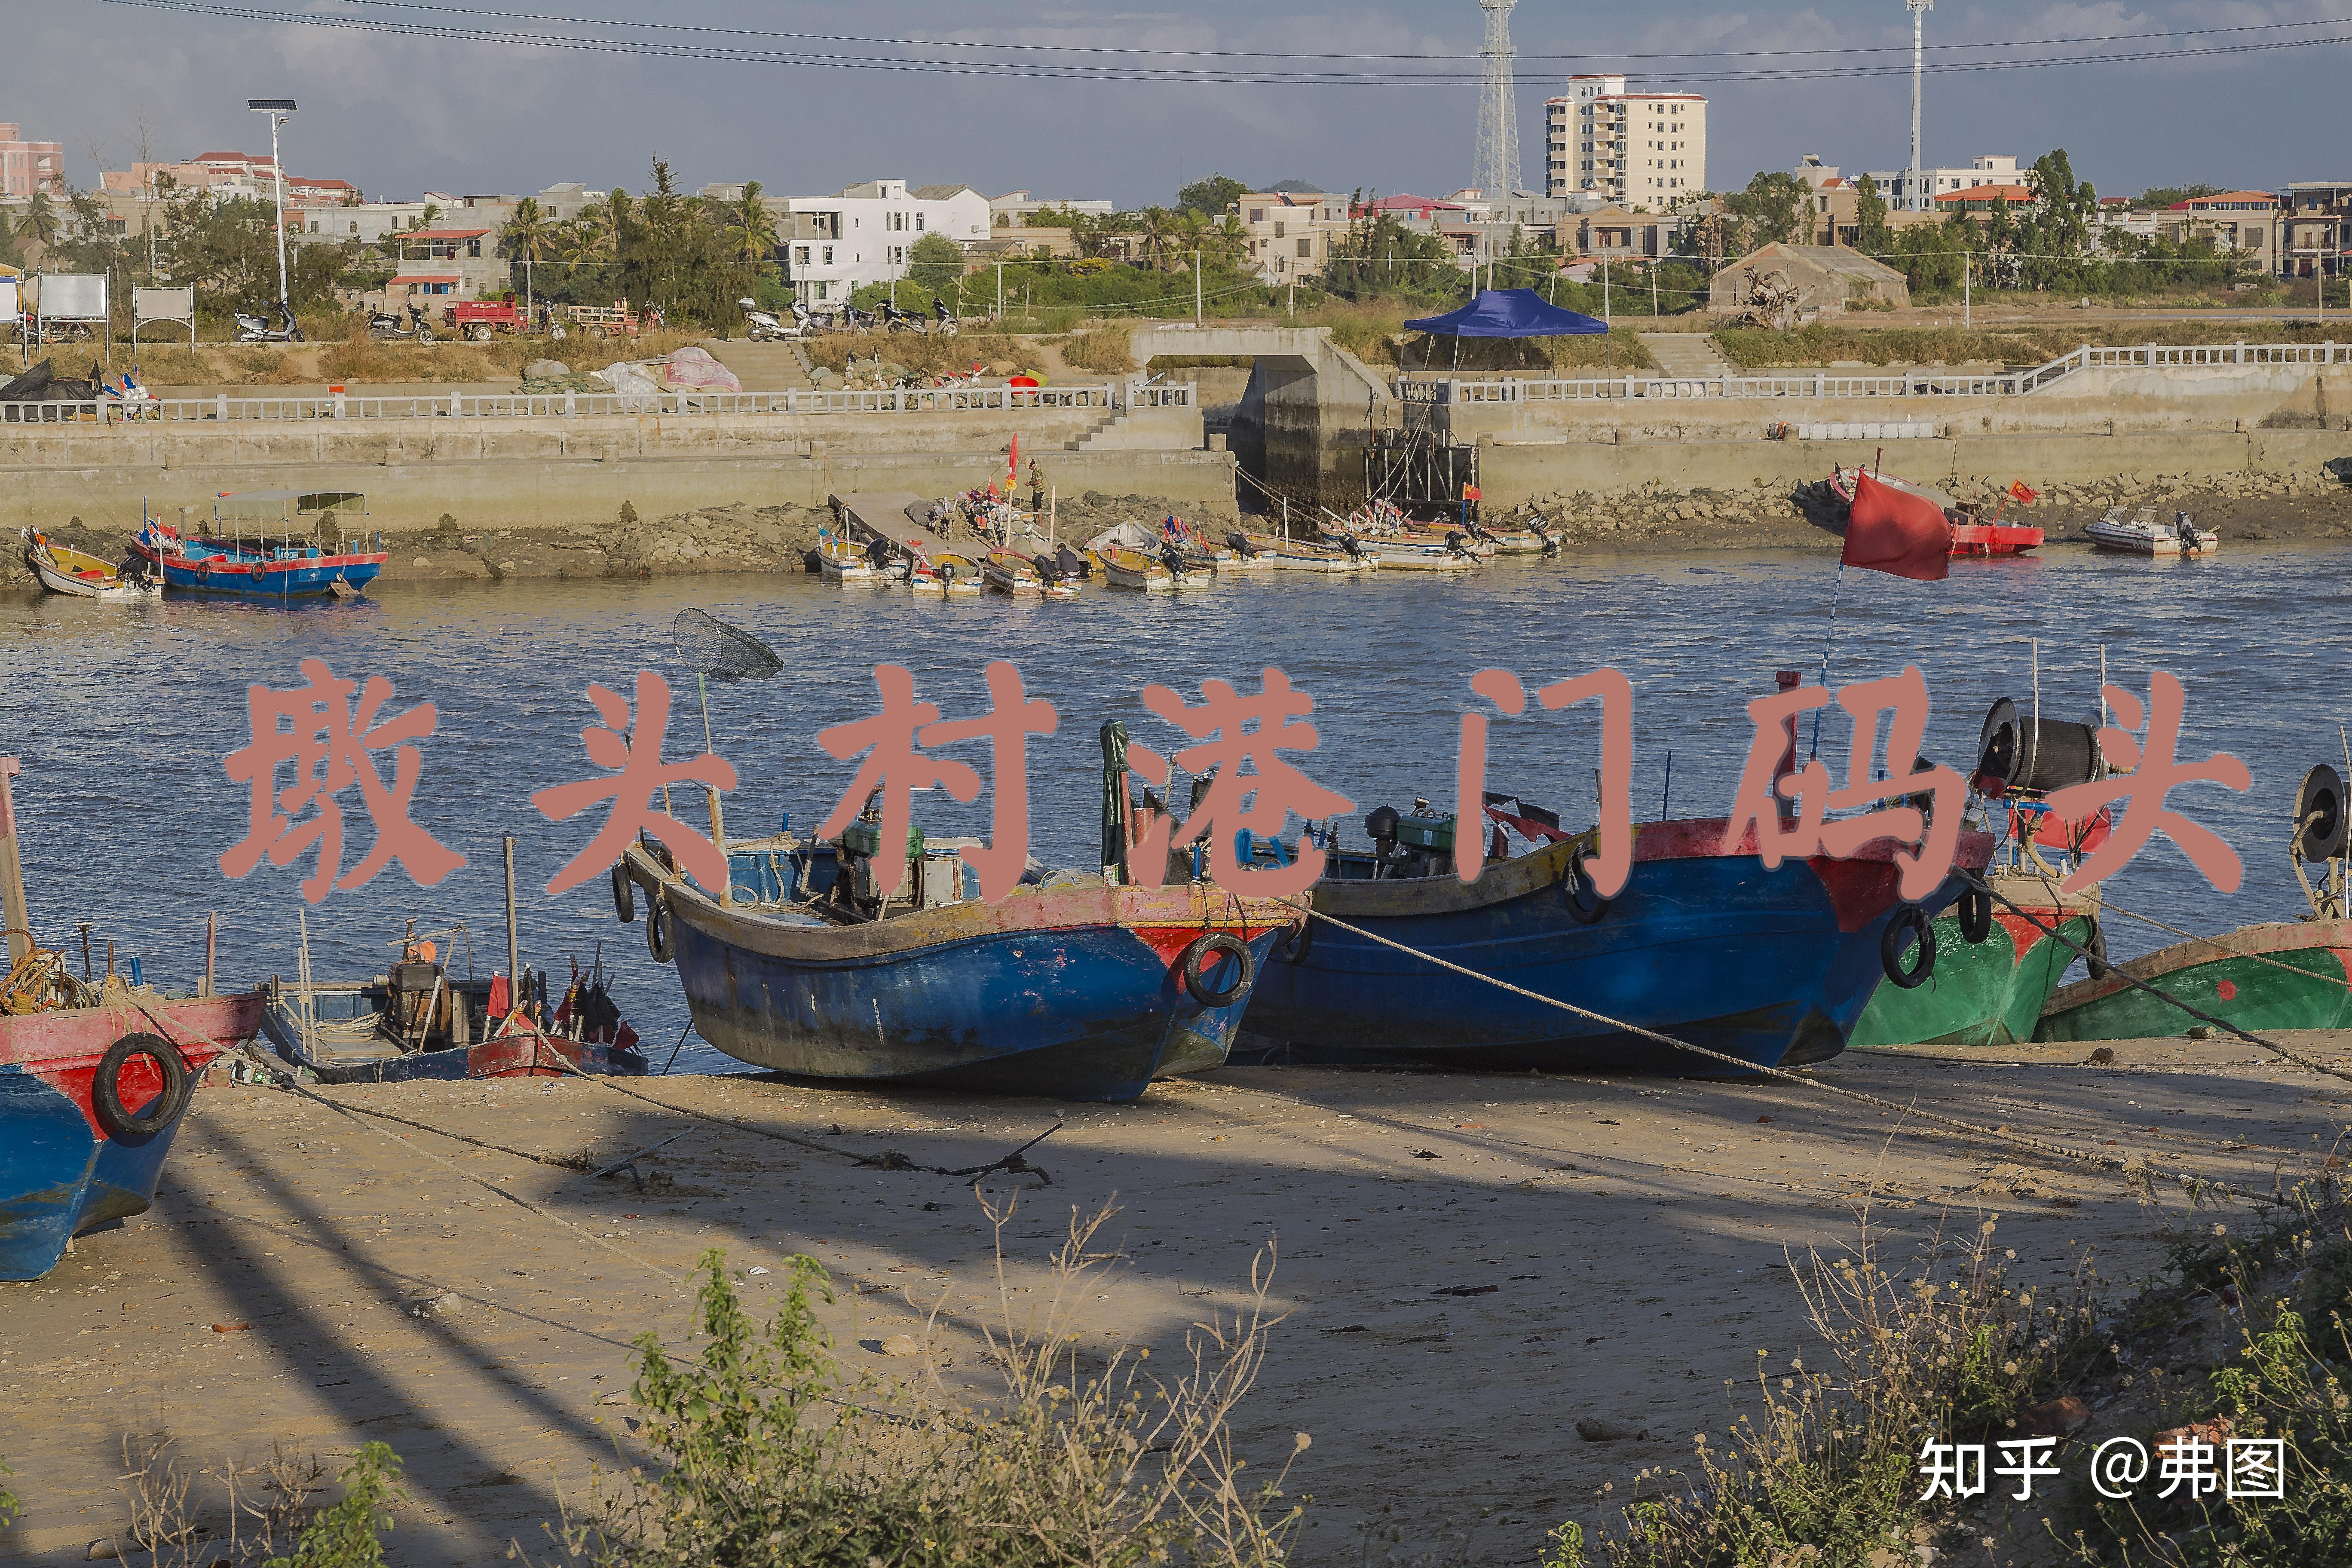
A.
x: 1471, y: 1264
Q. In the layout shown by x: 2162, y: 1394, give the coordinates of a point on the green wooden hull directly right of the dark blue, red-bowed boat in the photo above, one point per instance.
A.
x: 1984, y: 993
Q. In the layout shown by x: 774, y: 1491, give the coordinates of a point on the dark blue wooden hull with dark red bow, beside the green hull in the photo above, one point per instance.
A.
x: 1772, y: 967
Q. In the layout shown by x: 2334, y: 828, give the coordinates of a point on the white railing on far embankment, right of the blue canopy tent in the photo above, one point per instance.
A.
x: 1911, y: 384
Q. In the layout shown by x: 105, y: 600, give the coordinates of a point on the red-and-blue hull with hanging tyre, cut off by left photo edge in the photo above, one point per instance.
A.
x: 62, y: 1172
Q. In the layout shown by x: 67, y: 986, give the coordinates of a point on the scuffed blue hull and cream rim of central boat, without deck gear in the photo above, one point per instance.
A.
x: 1069, y: 993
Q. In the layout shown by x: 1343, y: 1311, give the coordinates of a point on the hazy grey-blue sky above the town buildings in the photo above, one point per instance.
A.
x: 403, y: 114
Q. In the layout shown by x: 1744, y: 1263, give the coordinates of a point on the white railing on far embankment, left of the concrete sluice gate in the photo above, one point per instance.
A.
x: 573, y: 406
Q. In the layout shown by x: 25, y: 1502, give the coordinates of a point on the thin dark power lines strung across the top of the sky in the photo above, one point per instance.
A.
x: 1840, y: 65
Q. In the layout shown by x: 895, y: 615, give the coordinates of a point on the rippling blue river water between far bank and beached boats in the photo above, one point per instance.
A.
x: 126, y: 713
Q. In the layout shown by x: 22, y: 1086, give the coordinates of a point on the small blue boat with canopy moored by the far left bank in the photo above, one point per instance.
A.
x: 269, y: 544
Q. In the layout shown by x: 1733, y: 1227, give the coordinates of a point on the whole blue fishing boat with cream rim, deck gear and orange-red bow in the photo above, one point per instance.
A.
x: 1076, y: 986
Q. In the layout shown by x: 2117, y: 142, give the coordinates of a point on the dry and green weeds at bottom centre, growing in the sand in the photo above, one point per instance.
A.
x: 773, y: 1456
